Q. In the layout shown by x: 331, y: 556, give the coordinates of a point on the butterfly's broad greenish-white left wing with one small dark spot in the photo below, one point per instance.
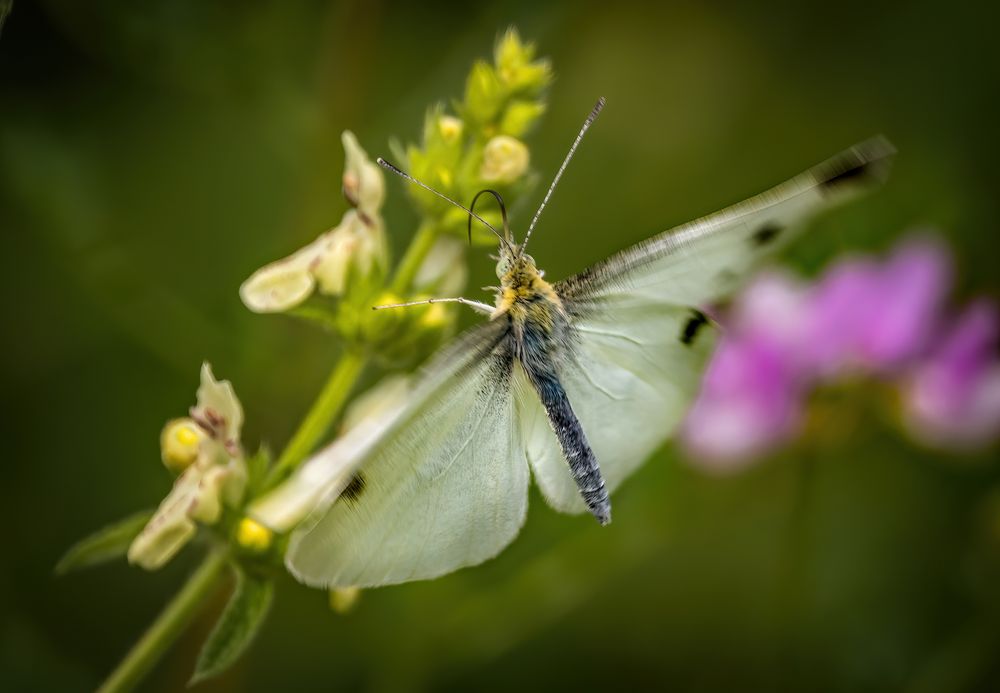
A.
x: 445, y: 487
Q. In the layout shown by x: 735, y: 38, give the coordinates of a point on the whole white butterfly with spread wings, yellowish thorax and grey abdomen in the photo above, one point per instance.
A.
x: 575, y: 383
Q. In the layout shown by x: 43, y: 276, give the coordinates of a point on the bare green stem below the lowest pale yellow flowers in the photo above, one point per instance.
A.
x: 174, y: 618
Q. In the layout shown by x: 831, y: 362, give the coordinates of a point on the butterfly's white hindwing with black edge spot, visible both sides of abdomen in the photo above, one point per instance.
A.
x: 631, y: 373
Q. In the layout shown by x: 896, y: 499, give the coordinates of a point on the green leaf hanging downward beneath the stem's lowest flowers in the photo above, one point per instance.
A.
x: 237, y: 626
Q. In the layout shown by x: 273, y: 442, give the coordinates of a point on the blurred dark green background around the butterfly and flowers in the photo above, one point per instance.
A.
x: 152, y: 155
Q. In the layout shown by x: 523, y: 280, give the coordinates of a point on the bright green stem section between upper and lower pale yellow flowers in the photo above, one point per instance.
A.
x: 326, y: 407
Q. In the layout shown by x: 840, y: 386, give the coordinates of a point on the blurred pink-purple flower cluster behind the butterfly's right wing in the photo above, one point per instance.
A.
x: 864, y: 318
